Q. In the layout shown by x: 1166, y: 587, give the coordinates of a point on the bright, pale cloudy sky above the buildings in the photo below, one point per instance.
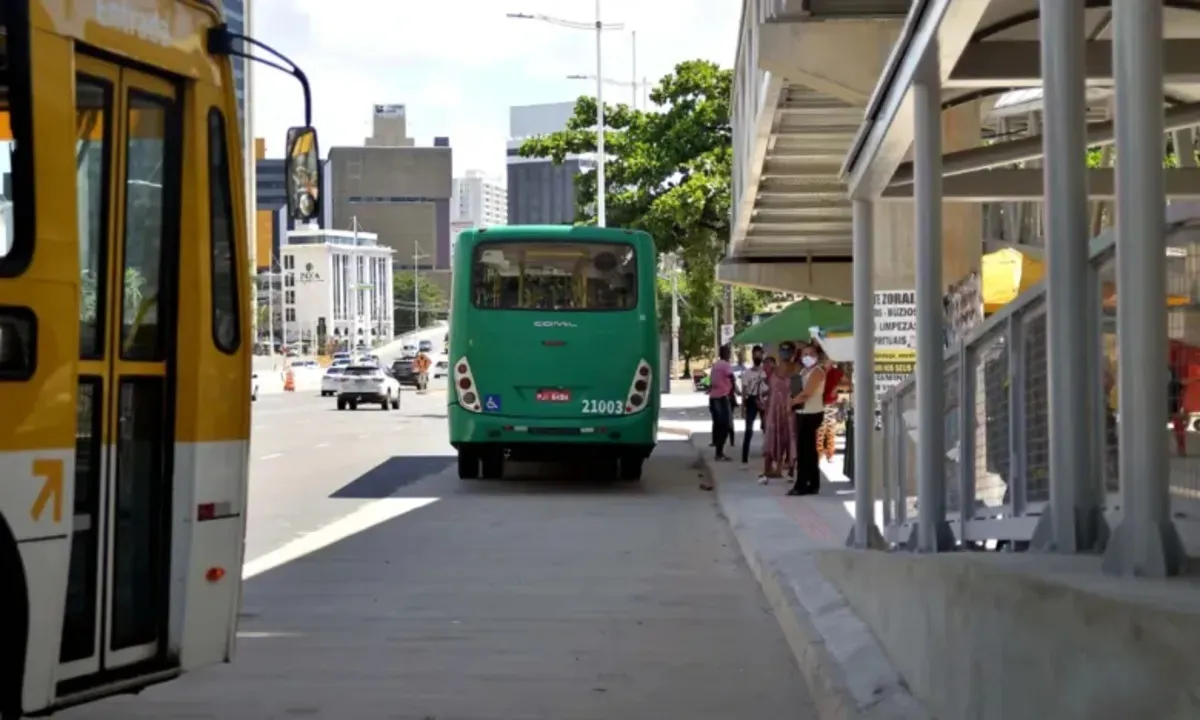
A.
x: 459, y: 67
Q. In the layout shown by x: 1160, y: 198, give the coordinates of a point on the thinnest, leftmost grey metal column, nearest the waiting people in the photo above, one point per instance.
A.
x: 866, y: 535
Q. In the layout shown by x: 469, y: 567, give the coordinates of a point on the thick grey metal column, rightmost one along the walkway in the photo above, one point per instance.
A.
x: 1147, y: 543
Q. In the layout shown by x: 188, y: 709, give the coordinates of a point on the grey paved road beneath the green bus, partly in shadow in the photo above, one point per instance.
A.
x: 538, y: 597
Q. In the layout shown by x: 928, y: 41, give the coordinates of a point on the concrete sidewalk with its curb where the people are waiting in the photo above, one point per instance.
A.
x: 848, y: 670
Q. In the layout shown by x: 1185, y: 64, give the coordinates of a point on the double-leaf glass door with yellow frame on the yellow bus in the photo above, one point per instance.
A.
x: 128, y: 179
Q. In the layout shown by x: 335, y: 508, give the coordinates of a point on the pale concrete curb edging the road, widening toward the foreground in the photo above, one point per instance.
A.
x: 827, y: 639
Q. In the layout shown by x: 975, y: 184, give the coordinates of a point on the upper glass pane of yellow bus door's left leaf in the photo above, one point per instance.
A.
x: 93, y: 100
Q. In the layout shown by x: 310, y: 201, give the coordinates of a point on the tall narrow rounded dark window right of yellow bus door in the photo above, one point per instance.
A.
x: 224, y: 251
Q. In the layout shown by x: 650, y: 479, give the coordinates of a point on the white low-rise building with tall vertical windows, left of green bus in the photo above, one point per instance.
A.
x: 338, y: 289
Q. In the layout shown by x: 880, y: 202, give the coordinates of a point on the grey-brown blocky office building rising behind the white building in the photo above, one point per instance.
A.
x: 398, y: 191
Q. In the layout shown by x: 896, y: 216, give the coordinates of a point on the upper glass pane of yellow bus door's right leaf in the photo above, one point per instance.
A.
x: 148, y: 161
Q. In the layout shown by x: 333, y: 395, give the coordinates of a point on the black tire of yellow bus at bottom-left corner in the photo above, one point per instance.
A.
x: 15, y: 631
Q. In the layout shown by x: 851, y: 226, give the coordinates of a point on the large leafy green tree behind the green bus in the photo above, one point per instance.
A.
x: 669, y: 172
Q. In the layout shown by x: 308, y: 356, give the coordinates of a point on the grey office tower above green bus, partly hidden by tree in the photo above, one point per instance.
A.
x: 541, y: 193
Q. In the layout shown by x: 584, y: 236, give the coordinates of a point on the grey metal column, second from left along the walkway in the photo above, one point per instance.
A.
x: 933, y: 532
